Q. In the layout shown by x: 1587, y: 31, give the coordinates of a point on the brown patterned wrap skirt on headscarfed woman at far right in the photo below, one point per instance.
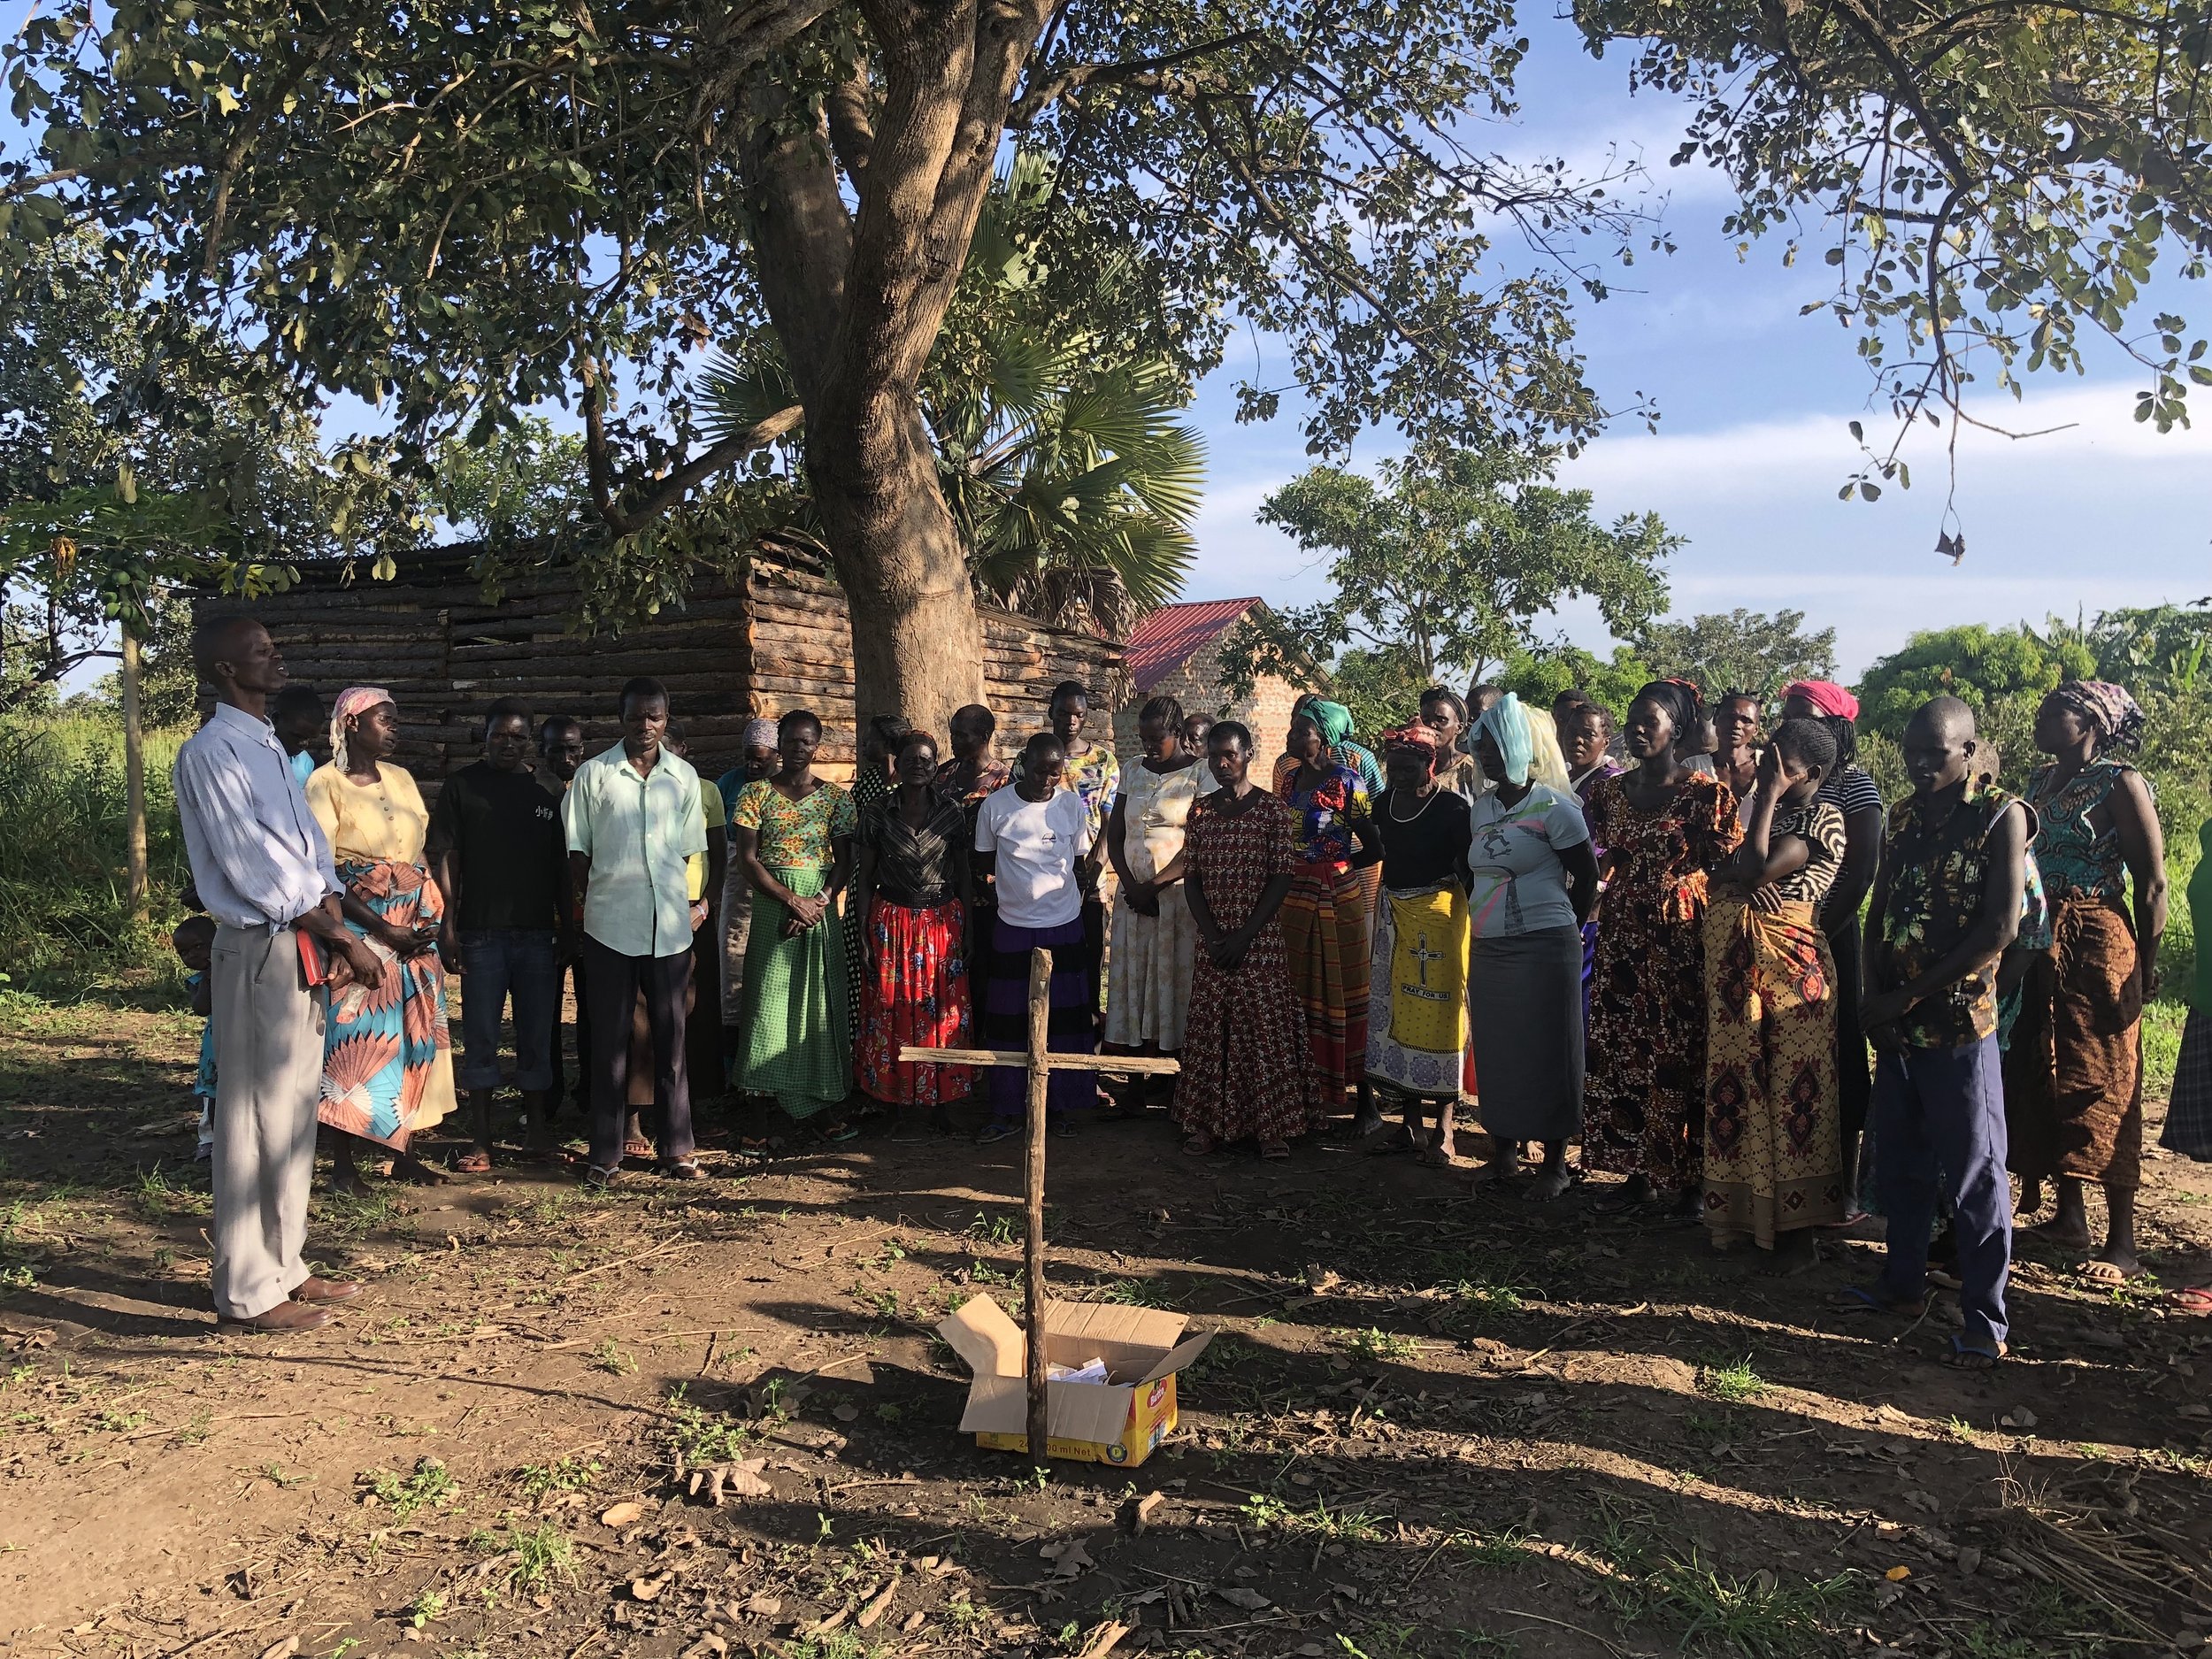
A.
x: 2074, y: 1072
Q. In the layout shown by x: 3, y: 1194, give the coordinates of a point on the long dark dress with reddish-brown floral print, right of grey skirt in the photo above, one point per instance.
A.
x: 1647, y: 1034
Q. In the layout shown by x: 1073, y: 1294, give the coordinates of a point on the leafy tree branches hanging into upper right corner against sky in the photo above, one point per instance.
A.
x: 1994, y: 182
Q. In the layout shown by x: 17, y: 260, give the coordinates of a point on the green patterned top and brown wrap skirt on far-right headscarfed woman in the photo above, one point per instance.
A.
x: 2074, y: 1074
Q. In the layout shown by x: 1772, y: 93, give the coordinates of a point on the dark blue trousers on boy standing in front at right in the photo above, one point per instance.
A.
x: 1939, y: 1129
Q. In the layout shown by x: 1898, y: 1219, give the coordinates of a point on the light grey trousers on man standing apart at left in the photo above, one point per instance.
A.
x: 269, y: 1076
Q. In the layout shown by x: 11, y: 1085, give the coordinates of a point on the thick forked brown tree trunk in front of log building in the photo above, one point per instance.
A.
x: 857, y: 298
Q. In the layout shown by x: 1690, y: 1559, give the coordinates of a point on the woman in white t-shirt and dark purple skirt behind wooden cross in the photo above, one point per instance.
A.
x: 1030, y: 844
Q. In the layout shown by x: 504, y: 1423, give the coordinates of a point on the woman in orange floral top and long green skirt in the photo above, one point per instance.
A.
x: 793, y: 837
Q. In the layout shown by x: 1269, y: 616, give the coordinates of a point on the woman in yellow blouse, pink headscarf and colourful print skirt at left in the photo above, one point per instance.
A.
x: 388, y: 1056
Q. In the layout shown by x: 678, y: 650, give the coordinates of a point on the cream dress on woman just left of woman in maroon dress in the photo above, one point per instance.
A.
x: 1151, y: 961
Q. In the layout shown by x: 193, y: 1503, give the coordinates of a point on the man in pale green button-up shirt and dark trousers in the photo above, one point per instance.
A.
x: 634, y: 820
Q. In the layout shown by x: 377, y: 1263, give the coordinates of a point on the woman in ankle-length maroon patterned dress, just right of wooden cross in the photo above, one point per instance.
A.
x: 1249, y: 1072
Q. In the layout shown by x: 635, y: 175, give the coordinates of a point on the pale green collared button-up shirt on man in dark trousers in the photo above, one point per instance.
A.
x: 638, y: 833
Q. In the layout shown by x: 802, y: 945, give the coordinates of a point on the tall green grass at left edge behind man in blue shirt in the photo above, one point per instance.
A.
x: 65, y: 924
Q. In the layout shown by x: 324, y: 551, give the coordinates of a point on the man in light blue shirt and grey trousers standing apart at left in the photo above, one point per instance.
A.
x: 264, y: 873
